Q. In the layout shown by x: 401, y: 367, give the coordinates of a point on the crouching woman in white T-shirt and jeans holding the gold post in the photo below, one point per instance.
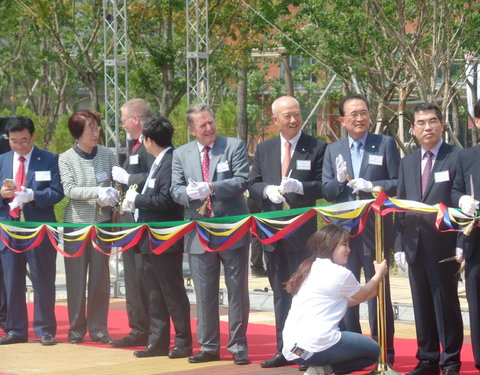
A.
x: 322, y: 290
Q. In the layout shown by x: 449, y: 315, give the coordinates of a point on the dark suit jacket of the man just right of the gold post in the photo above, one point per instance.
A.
x: 410, y: 226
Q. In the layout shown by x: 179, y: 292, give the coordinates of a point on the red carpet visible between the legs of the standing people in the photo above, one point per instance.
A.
x: 261, y: 341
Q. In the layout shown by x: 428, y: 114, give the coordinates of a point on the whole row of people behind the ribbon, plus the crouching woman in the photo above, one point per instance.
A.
x: 314, y: 274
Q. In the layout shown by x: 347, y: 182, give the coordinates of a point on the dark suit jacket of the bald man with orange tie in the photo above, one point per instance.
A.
x: 266, y: 171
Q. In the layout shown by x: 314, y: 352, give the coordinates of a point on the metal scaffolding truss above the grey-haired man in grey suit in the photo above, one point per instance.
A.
x: 197, y: 51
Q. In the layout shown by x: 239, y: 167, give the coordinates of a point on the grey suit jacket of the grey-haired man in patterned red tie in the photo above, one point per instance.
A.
x: 228, y: 175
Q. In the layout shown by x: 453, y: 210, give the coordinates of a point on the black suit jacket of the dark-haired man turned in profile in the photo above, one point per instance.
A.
x: 156, y: 203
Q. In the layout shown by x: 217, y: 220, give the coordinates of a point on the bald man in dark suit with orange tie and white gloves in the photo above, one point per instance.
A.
x: 287, y: 168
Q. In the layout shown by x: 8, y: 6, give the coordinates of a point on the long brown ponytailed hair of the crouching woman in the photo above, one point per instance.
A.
x: 321, y: 244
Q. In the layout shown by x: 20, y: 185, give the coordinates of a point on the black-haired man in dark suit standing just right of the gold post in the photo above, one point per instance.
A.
x: 426, y: 176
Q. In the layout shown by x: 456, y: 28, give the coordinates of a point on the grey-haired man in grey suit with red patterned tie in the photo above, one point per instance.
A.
x: 209, y: 176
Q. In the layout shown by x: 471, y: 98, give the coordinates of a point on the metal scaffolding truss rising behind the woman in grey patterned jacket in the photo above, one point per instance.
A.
x: 115, y: 68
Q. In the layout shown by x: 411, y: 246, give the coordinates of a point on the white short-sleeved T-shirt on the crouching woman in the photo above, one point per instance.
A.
x: 318, y: 307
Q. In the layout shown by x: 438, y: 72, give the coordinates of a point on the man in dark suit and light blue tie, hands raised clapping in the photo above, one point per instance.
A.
x: 351, y: 168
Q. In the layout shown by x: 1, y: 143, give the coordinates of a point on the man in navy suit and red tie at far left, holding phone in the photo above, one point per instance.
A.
x: 30, y: 188
